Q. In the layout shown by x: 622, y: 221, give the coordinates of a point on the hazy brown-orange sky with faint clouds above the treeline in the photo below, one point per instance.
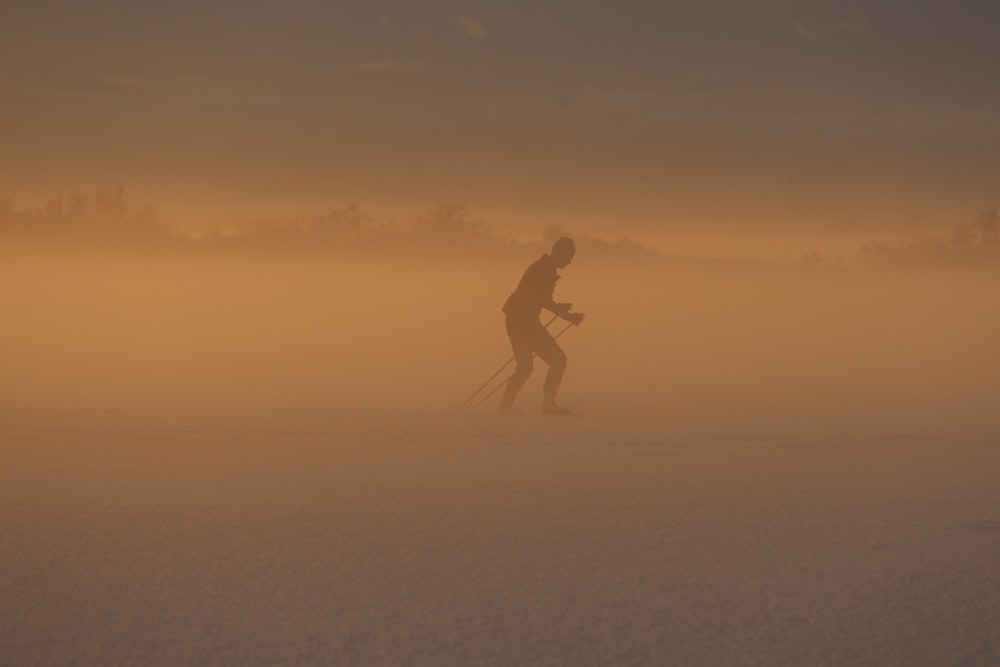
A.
x: 686, y: 111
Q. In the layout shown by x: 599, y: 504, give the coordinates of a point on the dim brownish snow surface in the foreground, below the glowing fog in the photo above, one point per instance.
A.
x: 422, y: 539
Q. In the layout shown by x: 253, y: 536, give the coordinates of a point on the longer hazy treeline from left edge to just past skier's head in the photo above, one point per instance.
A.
x: 106, y: 219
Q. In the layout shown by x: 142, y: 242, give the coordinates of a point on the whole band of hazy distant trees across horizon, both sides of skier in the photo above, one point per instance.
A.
x: 106, y: 220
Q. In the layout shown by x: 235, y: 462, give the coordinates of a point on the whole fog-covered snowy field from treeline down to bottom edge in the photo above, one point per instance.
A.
x: 207, y: 460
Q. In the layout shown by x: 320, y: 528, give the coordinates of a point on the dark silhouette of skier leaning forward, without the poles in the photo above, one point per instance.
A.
x: 527, y: 335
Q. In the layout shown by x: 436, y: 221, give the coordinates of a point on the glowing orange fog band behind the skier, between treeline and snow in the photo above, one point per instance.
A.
x: 700, y: 346
